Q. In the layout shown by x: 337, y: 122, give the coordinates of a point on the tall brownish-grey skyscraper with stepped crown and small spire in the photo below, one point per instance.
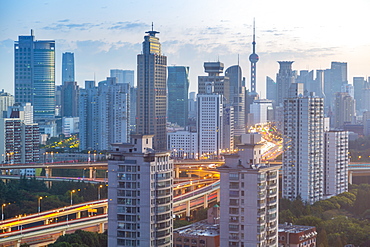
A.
x: 151, y: 91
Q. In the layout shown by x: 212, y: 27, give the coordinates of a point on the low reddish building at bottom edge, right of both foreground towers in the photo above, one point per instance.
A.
x: 294, y: 235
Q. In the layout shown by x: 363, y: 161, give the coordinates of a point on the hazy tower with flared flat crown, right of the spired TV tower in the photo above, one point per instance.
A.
x: 284, y: 79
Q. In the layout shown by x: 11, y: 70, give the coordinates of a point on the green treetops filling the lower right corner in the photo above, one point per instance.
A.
x: 340, y: 220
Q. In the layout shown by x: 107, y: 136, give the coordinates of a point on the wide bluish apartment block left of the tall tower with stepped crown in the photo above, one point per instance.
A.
x: 104, y: 114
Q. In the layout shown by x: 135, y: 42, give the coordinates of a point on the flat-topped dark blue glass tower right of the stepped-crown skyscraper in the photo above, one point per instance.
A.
x: 178, y: 87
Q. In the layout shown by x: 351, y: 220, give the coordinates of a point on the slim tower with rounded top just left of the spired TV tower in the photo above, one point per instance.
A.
x: 237, y: 98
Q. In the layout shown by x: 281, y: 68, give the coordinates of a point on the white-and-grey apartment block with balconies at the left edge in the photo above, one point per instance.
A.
x: 20, y: 137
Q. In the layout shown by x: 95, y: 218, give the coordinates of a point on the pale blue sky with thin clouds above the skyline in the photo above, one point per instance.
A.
x: 108, y: 34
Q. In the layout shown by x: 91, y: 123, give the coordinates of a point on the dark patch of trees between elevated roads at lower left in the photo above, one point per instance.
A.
x: 22, y: 196
